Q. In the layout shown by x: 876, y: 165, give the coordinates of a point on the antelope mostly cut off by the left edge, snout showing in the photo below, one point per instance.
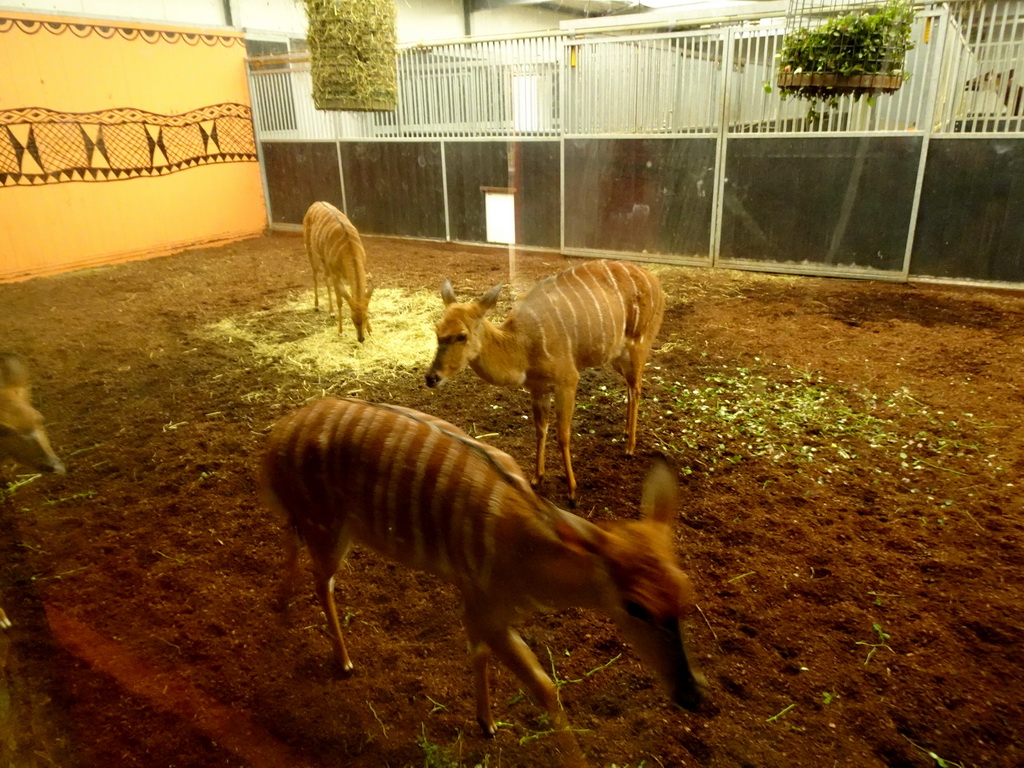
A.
x: 22, y: 436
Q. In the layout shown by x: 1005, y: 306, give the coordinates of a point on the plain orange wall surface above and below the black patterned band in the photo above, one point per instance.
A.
x: 52, y: 228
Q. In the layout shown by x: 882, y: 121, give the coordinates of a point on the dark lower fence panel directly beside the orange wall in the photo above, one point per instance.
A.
x: 298, y: 176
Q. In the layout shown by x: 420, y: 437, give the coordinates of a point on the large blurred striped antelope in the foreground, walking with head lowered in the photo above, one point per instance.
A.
x: 423, y: 493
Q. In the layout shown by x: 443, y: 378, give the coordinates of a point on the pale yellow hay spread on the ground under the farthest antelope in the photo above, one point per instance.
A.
x: 403, y: 340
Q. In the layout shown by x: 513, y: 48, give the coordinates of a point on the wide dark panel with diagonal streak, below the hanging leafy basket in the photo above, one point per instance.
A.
x: 820, y: 201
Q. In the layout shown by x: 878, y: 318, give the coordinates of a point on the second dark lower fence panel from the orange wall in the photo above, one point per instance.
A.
x: 395, y: 189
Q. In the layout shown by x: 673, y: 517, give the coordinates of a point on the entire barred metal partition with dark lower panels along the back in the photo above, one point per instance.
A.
x: 676, y: 147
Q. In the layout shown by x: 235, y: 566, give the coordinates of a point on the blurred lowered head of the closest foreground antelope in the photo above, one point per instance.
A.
x: 647, y: 593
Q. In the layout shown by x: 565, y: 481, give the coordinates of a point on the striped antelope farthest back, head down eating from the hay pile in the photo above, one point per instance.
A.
x: 334, y: 247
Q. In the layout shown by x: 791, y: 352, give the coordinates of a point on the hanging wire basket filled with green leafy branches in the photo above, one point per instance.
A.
x: 859, y: 50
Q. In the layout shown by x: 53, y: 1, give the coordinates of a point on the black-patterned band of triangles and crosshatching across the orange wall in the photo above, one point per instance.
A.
x: 44, y: 147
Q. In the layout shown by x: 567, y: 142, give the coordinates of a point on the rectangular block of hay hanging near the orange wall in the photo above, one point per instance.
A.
x: 354, y: 53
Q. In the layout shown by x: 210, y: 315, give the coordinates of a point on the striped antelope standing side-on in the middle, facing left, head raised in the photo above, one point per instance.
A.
x: 598, y: 313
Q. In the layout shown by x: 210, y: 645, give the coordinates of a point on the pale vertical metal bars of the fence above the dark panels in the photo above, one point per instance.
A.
x: 967, y: 70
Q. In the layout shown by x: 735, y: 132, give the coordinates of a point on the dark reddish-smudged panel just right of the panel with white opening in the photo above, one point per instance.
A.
x: 641, y: 196
